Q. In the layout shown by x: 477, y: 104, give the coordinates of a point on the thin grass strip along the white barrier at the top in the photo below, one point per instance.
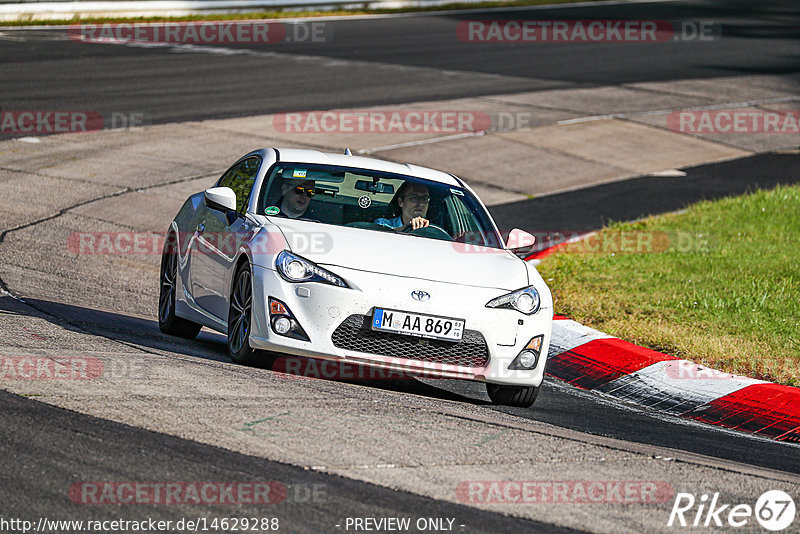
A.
x: 293, y: 13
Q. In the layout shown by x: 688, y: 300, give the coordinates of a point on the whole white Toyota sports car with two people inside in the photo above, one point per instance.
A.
x: 358, y: 260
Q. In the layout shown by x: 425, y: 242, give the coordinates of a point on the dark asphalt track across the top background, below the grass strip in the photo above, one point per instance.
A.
x: 384, y: 61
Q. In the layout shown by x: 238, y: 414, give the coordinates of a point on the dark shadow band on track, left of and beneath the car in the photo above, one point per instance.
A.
x: 144, y: 333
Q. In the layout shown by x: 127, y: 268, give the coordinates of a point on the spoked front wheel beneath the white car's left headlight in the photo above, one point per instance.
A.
x: 240, y: 317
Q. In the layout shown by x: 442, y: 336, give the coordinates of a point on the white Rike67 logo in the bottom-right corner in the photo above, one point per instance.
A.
x: 774, y: 511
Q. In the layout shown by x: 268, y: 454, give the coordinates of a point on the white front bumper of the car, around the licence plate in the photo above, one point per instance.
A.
x: 336, y: 321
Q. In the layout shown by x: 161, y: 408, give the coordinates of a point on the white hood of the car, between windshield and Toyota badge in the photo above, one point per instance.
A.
x: 404, y: 255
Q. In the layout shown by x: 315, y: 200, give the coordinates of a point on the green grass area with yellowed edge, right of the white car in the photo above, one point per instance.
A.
x: 717, y: 284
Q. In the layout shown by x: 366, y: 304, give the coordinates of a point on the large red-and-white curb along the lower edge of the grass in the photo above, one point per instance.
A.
x: 593, y: 360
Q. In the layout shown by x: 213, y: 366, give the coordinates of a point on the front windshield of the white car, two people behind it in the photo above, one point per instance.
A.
x: 376, y: 201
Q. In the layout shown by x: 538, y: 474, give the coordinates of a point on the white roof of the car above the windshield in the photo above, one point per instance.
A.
x: 298, y: 155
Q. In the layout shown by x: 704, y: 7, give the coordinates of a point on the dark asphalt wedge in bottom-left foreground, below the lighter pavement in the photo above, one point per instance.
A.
x: 314, y: 502
